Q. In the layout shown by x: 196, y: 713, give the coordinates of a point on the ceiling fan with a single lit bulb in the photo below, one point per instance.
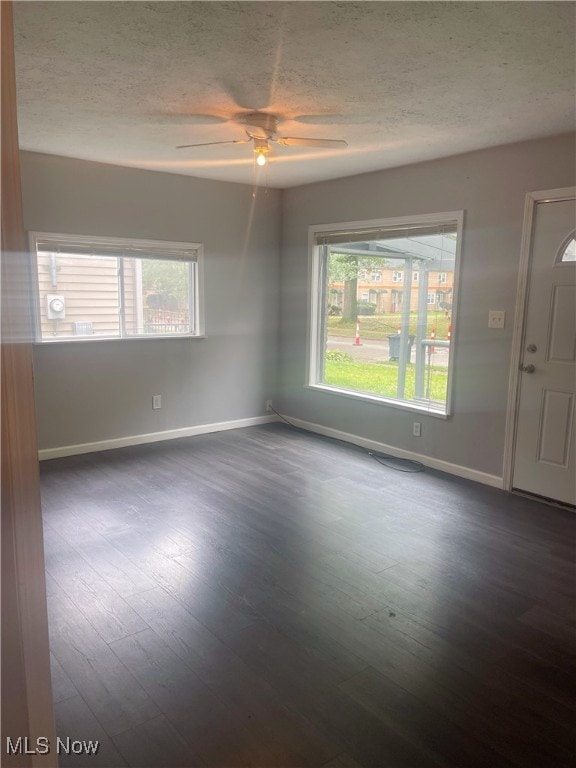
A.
x: 262, y: 128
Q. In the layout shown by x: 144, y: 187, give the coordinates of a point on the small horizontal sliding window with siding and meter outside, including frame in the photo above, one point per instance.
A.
x: 112, y: 288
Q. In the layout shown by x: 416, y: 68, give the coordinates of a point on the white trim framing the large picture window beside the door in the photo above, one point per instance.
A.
x: 312, y: 329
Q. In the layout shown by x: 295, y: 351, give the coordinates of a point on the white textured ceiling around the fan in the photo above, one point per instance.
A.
x: 125, y: 82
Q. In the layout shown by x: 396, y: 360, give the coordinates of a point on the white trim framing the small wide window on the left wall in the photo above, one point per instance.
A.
x: 128, y: 243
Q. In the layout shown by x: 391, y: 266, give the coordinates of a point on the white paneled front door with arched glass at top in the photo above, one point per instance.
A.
x: 545, y: 450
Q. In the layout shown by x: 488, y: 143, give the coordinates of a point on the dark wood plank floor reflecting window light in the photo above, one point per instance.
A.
x: 264, y: 597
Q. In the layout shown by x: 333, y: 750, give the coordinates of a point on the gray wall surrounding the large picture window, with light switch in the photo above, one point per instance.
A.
x: 490, y: 186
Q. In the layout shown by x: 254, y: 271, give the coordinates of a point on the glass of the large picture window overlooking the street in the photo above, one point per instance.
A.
x: 397, y: 344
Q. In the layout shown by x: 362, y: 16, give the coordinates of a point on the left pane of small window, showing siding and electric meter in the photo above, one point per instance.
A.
x: 78, y: 295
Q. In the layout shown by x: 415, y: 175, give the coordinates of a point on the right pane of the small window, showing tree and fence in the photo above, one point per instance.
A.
x: 156, y: 297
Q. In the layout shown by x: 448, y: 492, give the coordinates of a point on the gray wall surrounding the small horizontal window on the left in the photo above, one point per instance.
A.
x: 95, y: 391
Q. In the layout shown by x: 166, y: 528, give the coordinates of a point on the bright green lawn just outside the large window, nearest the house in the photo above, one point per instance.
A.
x: 382, y: 378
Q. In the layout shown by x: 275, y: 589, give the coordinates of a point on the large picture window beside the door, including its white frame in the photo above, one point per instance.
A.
x: 405, y: 359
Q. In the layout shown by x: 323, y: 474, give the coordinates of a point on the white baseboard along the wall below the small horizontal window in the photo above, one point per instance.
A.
x: 150, y: 437
